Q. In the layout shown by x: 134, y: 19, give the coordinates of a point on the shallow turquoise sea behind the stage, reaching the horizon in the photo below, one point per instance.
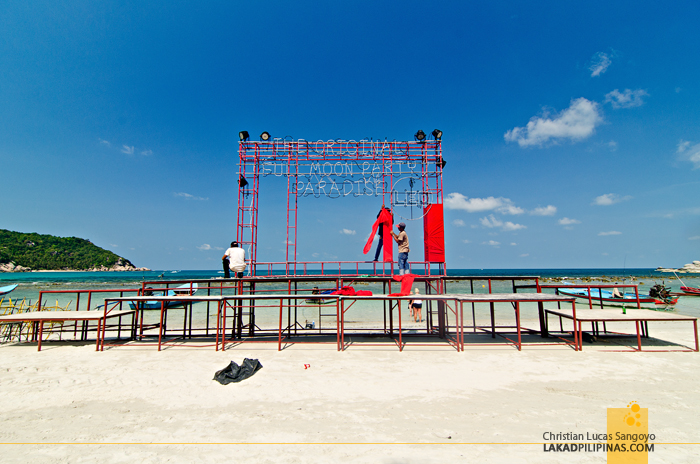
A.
x: 31, y: 283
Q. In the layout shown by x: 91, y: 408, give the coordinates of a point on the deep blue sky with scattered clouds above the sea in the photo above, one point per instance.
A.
x: 571, y: 129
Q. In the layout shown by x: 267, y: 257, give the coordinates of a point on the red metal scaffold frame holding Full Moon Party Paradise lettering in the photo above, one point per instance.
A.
x: 333, y: 168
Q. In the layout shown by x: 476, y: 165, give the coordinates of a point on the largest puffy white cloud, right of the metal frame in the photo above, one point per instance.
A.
x: 575, y: 123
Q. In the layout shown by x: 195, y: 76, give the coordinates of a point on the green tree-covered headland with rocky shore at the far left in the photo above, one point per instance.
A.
x: 21, y: 252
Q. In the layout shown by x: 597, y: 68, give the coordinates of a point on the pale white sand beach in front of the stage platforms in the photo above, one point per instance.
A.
x: 370, y: 404
